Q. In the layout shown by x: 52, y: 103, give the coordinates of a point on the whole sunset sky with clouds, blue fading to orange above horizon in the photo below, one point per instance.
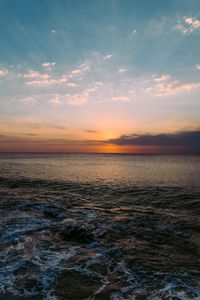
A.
x: 103, y: 76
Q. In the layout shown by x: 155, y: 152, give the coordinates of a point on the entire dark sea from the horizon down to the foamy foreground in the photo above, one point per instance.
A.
x: 99, y: 227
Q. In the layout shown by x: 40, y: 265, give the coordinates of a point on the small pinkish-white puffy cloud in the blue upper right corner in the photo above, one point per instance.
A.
x: 188, y: 25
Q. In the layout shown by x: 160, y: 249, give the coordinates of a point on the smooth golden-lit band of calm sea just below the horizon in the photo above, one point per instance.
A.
x: 106, y: 169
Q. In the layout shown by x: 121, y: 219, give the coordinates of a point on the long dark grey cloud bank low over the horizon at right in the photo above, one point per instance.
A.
x: 190, y: 140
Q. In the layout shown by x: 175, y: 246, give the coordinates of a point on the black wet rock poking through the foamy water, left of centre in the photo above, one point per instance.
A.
x: 81, y: 233
